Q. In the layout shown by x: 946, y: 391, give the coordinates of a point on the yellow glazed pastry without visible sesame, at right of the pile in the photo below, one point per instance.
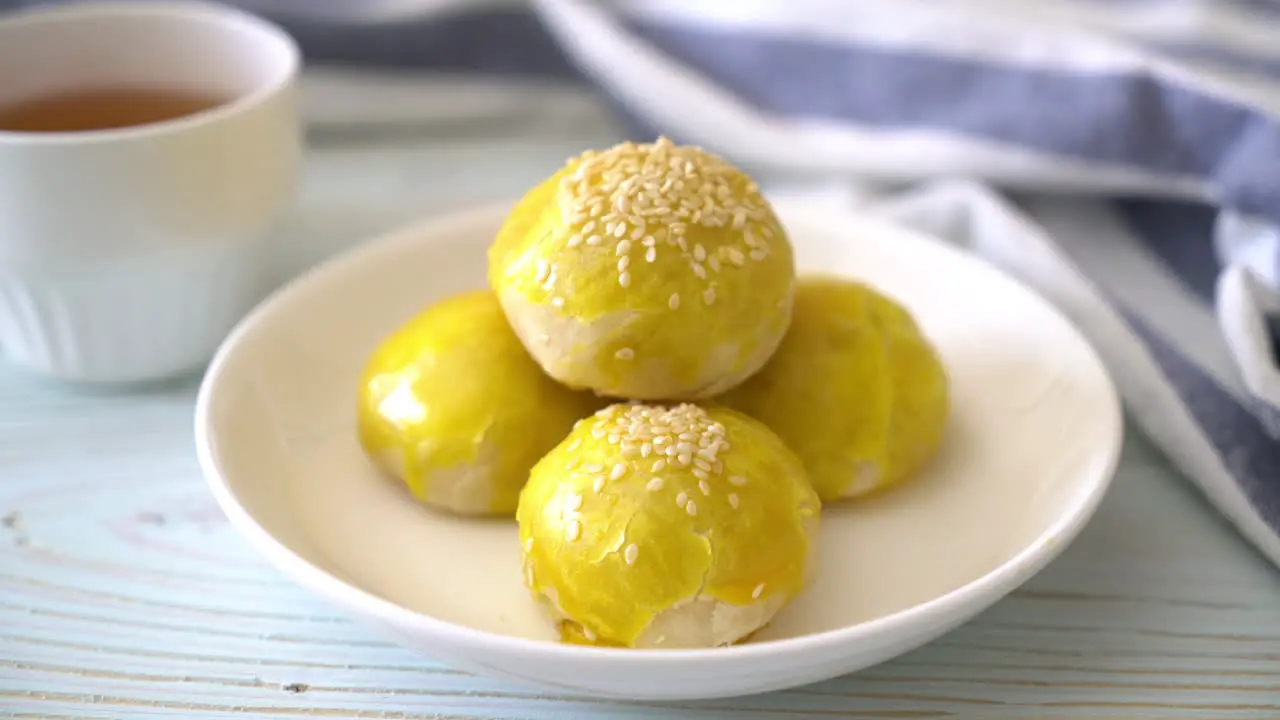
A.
x: 856, y: 390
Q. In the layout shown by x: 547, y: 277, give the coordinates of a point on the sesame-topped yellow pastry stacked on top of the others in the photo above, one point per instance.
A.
x: 651, y: 272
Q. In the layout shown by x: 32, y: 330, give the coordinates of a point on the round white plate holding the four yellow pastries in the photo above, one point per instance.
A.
x: 1032, y: 448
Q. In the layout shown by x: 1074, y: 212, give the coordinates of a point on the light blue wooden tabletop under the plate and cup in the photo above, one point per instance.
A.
x: 125, y: 594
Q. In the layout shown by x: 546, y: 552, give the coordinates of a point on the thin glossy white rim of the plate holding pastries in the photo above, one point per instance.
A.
x: 963, y: 603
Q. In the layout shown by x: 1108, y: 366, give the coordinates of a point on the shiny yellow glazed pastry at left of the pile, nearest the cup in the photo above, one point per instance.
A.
x: 452, y: 405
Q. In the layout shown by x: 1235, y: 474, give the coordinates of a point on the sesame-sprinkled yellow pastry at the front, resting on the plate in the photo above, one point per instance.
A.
x: 669, y: 527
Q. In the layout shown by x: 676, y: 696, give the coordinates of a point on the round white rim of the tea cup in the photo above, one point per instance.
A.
x: 190, y: 10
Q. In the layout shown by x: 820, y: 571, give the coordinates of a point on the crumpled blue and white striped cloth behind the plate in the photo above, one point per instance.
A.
x: 1123, y: 157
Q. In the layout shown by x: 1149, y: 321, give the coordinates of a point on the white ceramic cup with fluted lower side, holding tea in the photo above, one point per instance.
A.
x: 129, y: 254
